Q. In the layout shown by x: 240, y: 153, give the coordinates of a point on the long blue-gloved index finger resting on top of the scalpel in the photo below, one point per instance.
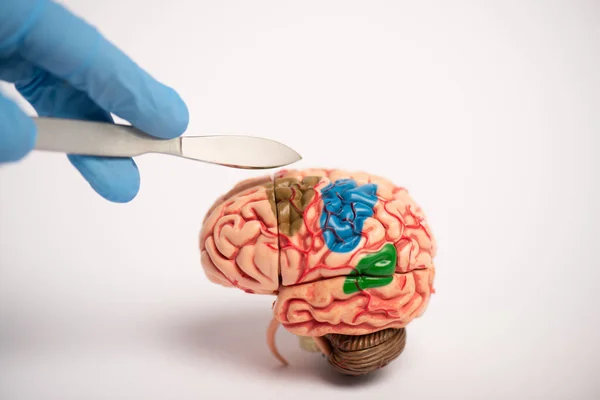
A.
x: 48, y: 35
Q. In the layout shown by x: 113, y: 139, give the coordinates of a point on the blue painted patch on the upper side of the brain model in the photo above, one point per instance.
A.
x: 346, y: 206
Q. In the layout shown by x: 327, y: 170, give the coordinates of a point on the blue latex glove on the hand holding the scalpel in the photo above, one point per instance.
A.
x: 65, y: 68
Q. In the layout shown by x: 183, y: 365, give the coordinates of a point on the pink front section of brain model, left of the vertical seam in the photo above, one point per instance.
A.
x: 238, y: 240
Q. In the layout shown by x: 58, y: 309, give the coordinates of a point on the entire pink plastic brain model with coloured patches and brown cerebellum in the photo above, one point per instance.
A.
x: 348, y: 255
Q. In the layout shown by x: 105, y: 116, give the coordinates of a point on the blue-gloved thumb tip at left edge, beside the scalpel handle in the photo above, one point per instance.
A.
x: 18, y: 132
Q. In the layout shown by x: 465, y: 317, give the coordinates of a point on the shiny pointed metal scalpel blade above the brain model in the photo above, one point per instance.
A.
x: 247, y: 152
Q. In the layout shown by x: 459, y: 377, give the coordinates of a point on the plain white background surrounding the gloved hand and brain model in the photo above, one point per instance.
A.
x: 493, y: 108
